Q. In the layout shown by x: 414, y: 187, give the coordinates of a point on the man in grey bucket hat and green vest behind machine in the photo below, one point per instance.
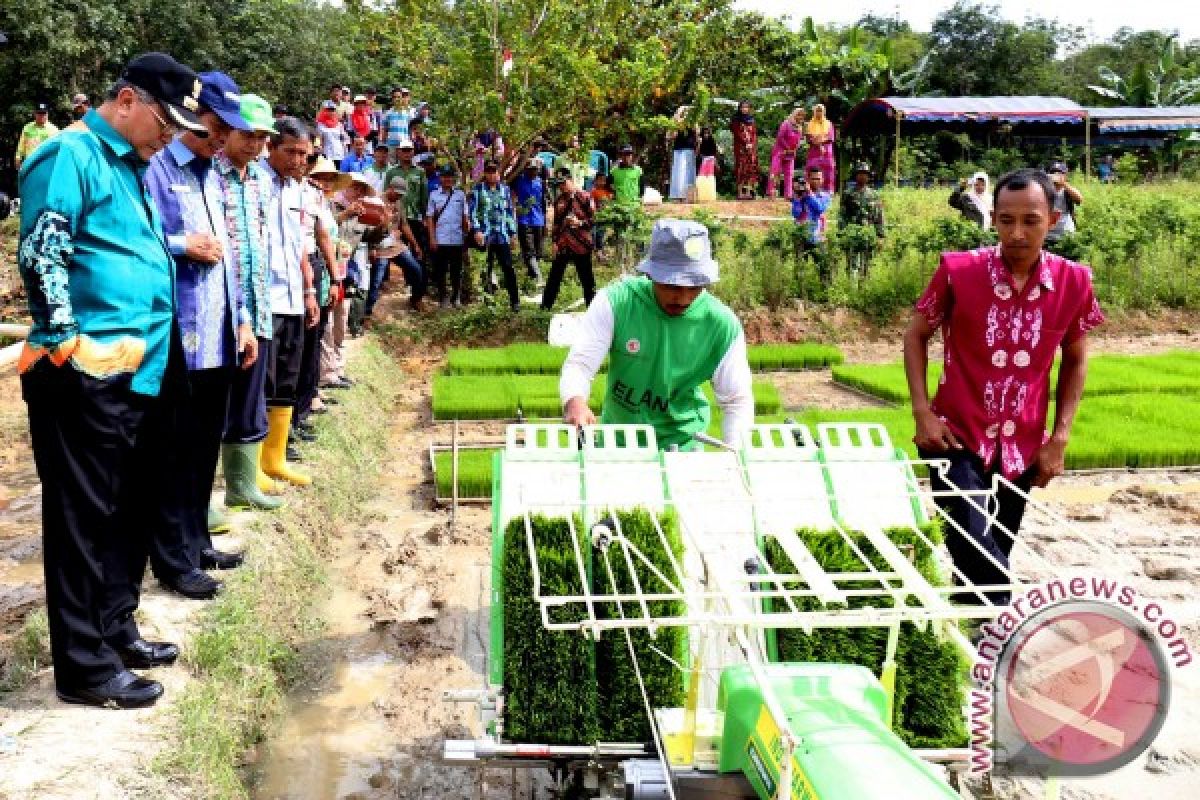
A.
x: 665, y: 336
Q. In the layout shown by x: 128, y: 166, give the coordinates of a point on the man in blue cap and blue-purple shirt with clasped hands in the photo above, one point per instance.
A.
x: 214, y: 327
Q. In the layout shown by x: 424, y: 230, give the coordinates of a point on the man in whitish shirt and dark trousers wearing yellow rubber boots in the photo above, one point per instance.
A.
x: 293, y: 290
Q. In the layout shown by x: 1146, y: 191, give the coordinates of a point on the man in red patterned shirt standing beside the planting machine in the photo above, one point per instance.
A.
x: 1005, y: 312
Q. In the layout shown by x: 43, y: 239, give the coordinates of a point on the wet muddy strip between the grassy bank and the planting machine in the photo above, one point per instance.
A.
x: 409, y: 621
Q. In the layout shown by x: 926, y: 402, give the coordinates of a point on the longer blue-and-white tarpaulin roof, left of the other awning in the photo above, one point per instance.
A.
x: 881, y: 113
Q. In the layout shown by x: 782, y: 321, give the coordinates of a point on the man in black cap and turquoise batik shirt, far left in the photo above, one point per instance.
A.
x: 100, y: 370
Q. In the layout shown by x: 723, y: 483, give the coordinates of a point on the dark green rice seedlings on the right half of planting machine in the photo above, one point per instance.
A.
x: 928, y: 708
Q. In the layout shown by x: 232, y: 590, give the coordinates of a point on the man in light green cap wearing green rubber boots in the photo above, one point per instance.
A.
x: 244, y: 188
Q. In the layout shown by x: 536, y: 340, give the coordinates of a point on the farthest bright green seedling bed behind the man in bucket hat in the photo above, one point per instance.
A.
x: 548, y: 360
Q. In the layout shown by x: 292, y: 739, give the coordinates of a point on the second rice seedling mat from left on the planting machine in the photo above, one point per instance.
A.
x: 623, y: 713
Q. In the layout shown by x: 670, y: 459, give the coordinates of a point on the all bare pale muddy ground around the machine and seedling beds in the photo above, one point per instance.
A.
x: 407, y: 621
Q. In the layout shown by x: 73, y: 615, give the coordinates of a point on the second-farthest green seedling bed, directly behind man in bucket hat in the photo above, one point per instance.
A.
x: 500, y: 398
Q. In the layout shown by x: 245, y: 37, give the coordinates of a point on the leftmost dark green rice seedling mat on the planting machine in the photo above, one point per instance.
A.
x: 550, y: 678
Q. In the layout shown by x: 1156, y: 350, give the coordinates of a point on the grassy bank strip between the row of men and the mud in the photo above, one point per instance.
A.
x: 245, y: 655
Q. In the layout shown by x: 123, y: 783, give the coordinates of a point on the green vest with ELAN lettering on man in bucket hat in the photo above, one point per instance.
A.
x: 658, y: 364
